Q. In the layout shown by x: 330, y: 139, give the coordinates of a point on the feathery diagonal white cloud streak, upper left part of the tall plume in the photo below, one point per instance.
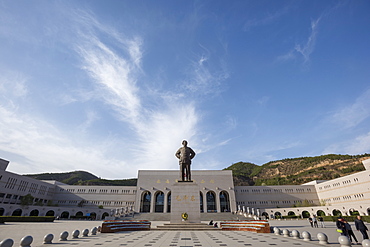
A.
x: 114, y: 76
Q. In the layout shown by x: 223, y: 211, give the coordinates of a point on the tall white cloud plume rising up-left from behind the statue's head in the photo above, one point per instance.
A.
x: 158, y: 131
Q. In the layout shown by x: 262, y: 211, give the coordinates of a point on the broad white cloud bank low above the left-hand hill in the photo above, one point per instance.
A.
x: 41, y: 147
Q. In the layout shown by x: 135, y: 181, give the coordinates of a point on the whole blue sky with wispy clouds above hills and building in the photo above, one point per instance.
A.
x: 112, y: 87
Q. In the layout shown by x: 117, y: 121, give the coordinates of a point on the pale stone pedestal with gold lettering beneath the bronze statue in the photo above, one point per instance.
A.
x: 185, y: 199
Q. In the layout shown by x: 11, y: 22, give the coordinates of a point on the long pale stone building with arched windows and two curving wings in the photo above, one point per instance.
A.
x: 152, y: 196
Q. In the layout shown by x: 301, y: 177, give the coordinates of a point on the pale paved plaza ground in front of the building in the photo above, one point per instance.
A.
x: 17, y: 231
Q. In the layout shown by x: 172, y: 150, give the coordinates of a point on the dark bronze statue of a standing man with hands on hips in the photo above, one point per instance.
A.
x: 185, y: 155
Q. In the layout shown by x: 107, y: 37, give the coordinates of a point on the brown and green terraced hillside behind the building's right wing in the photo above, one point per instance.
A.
x: 297, y: 170
